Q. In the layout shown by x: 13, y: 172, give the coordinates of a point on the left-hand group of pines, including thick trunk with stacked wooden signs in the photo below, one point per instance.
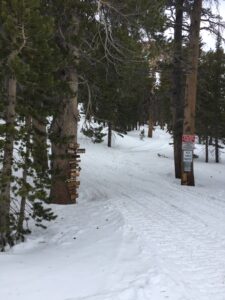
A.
x: 52, y: 55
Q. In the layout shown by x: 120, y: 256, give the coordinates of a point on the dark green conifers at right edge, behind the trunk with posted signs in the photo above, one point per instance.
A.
x: 210, y: 118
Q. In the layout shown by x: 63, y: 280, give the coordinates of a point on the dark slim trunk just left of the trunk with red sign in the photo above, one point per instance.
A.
x: 177, y: 99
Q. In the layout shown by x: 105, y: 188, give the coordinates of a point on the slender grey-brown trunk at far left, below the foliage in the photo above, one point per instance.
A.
x: 7, y: 165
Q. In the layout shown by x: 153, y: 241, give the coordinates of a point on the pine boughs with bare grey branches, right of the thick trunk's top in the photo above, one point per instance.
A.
x: 122, y: 84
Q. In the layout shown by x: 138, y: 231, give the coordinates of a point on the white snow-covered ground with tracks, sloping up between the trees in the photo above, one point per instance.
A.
x: 136, y: 233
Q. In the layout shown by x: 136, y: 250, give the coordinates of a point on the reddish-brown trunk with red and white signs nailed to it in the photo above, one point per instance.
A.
x: 191, y: 83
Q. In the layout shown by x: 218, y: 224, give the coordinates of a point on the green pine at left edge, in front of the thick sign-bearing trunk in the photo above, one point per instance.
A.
x: 24, y: 49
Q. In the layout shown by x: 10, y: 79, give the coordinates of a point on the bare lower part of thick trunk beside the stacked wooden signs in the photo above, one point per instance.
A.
x: 64, y: 131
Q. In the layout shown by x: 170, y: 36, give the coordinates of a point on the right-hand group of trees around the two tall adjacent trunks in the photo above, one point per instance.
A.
x: 179, y: 90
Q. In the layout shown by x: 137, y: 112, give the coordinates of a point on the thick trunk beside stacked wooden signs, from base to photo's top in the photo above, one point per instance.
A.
x: 65, y: 119
